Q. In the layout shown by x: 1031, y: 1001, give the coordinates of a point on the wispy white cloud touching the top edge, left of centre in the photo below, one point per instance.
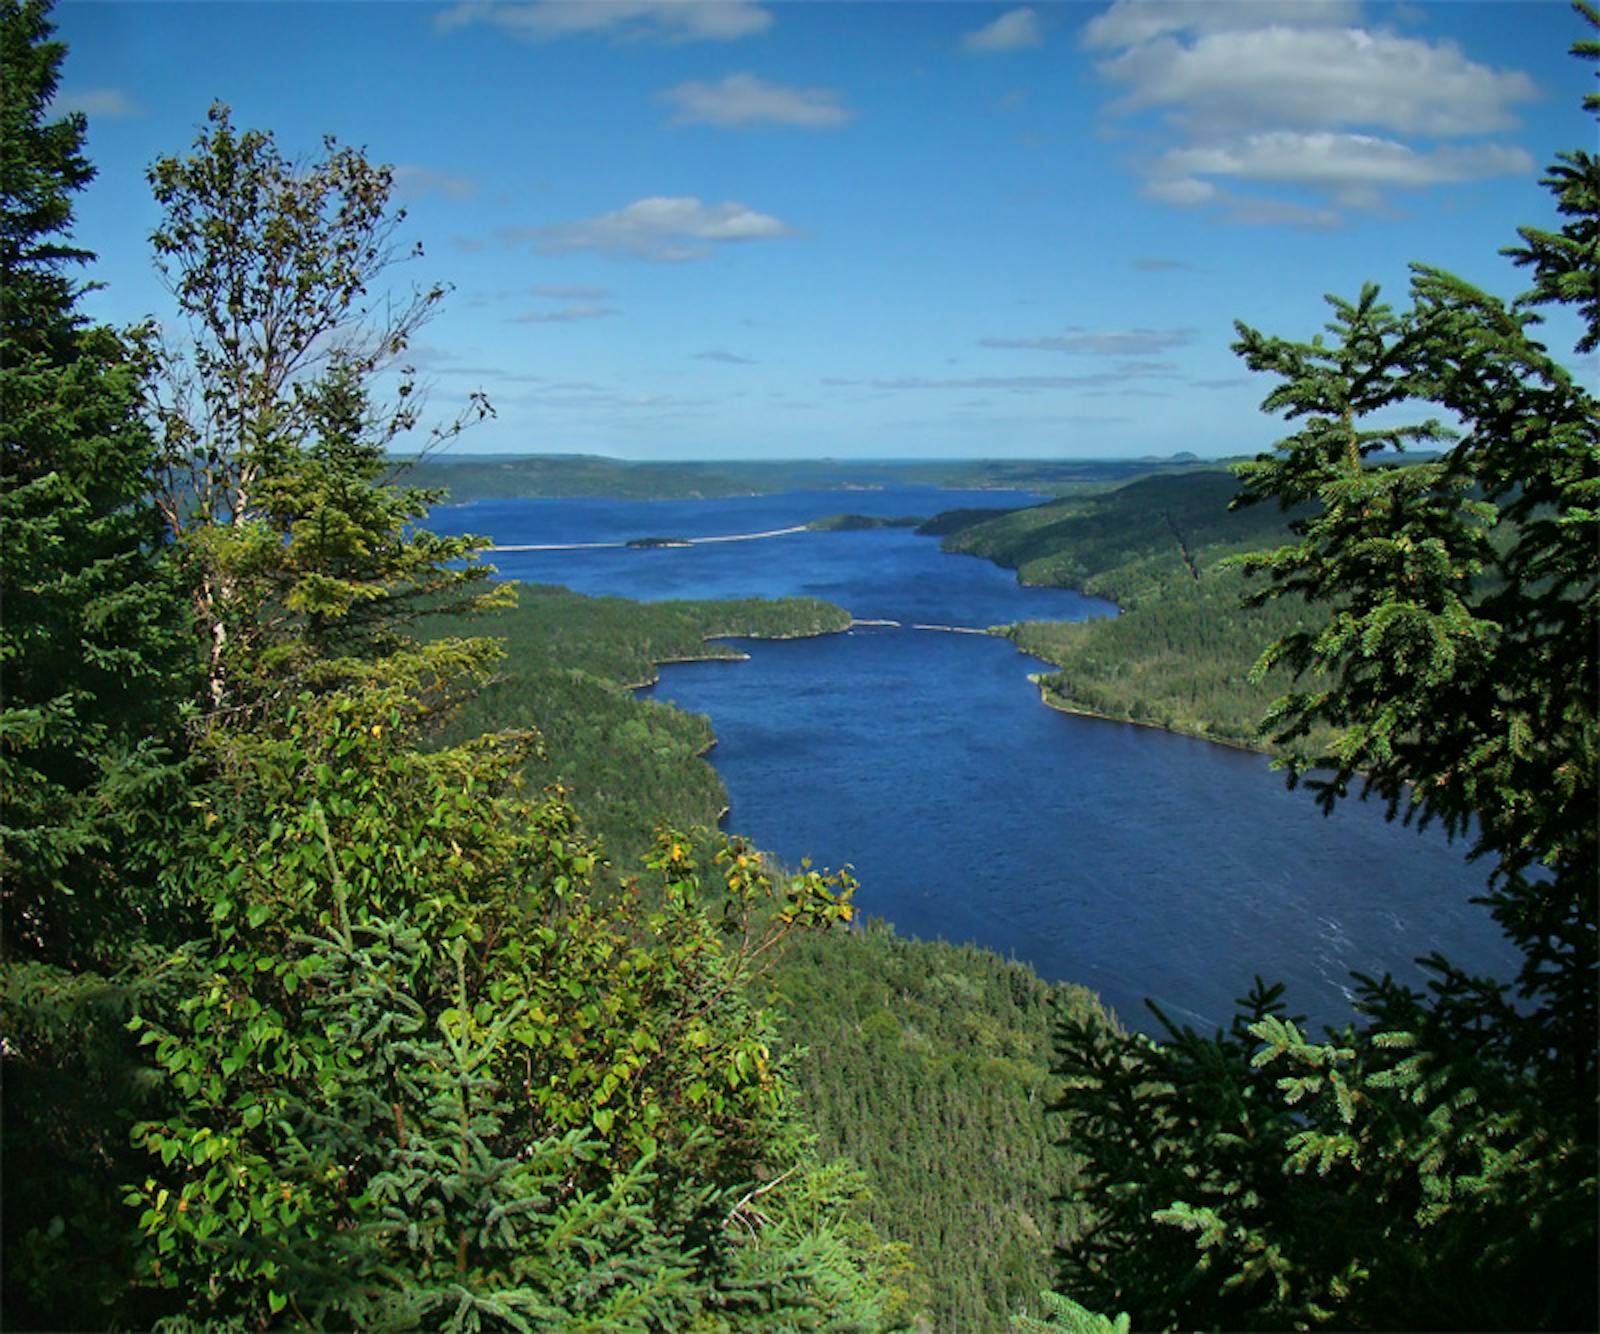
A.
x: 670, y: 22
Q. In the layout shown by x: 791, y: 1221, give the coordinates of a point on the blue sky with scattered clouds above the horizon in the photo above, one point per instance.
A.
x: 865, y: 230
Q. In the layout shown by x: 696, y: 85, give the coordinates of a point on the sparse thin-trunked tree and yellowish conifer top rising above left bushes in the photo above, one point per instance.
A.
x: 273, y: 449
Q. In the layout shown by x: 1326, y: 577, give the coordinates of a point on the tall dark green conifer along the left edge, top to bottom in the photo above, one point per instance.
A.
x: 94, y: 666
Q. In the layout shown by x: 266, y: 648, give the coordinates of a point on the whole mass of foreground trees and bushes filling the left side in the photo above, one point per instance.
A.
x: 401, y: 1068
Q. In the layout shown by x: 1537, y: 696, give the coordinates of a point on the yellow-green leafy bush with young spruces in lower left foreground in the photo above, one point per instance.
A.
x: 422, y: 1077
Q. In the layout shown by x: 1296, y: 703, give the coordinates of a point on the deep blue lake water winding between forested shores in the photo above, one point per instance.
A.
x: 1132, y: 861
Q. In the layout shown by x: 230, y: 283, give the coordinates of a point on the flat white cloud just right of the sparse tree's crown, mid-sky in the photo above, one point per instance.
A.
x: 658, y: 228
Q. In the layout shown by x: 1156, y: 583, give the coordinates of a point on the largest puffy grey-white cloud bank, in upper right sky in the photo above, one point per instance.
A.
x: 1295, y: 114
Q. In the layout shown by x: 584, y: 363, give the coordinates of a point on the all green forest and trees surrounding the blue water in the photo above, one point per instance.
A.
x: 374, y: 957
